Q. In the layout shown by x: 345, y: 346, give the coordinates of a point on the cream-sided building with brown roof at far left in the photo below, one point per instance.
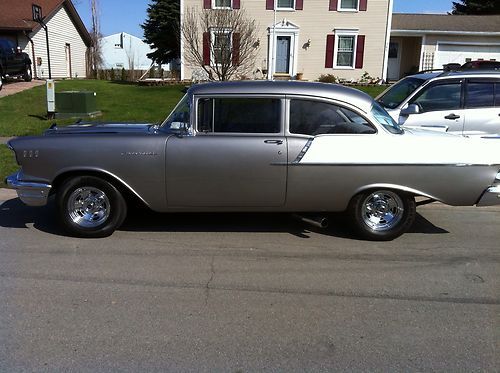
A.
x: 68, y: 37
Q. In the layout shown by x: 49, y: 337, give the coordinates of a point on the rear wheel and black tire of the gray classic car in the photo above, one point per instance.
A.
x: 382, y: 214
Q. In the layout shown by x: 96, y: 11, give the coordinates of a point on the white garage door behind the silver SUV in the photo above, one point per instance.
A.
x: 458, y: 53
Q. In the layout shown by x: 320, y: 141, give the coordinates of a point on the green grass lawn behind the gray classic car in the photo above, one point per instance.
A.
x: 24, y: 113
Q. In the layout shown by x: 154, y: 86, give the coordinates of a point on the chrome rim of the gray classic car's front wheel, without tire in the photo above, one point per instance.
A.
x: 88, y: 207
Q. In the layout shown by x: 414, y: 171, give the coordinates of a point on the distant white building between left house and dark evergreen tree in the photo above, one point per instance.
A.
x: 126, y: 51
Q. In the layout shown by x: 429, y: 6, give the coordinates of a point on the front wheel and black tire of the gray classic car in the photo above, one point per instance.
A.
x: 90, y: 207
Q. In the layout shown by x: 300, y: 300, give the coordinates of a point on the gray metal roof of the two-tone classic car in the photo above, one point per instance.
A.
x: 263, y: 87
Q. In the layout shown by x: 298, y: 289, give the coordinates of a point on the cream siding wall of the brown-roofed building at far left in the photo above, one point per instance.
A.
x: 62, y: 31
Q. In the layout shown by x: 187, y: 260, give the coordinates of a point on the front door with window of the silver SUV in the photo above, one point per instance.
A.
x: 440, y: 108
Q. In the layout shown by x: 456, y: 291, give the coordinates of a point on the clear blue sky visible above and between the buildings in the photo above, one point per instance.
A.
x: 127, y: 15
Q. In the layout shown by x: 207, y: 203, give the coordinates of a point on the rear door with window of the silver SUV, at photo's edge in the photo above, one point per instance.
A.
x: 482, y: 103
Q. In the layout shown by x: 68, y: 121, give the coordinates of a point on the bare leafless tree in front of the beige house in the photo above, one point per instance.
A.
x: 222, y: 42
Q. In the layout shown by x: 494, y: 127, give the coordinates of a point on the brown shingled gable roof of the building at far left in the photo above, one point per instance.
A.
x: 16, y: 15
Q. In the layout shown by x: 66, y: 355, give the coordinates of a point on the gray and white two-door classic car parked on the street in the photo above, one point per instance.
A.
x: 256, y: 146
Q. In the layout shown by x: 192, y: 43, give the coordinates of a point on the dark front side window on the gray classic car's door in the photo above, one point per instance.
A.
x: 239, y: 115
